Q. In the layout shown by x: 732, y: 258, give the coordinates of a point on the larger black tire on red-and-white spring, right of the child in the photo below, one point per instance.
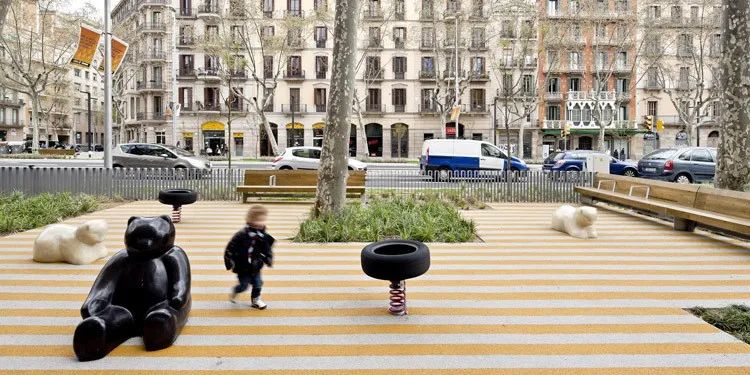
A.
x: 395, y: 260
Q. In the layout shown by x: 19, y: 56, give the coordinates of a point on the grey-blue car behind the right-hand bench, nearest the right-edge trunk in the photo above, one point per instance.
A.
x: 683, y: 165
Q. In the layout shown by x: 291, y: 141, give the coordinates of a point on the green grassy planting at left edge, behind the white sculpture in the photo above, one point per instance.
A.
x: 20, y: 212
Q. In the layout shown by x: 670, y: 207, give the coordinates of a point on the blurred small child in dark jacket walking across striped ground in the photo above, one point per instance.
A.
x: 246, y: 254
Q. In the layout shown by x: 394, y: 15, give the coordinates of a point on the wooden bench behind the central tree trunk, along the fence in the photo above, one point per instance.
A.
x: 289, y: 183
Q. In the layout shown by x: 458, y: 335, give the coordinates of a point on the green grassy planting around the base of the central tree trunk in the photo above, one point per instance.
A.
x: 427, y: 219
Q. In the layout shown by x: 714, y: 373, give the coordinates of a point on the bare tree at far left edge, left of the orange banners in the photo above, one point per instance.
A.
x: 37, y: 48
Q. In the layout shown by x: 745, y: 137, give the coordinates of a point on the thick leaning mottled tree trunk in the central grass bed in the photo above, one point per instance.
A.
x: 331, y: 194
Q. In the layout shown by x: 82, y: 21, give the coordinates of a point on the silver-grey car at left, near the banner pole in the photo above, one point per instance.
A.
x: 145, y: 155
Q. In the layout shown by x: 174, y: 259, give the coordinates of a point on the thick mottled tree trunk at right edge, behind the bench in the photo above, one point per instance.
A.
x: 733, y: 169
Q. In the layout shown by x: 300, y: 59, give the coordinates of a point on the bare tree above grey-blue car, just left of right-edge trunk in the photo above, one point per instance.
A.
x: 682, y: 58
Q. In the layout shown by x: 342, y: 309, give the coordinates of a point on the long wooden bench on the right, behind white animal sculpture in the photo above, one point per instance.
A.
x: 688, y: 205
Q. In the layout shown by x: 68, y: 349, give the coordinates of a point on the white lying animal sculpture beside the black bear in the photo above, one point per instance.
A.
x: 81, y: 244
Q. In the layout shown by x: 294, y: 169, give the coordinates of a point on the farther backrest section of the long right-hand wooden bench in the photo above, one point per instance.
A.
x: 667, y: 191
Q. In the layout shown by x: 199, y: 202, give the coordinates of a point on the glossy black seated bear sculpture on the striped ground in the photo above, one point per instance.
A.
x: 143, y: 290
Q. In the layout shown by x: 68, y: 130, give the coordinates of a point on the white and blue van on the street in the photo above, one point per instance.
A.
x: 446, y: 156
